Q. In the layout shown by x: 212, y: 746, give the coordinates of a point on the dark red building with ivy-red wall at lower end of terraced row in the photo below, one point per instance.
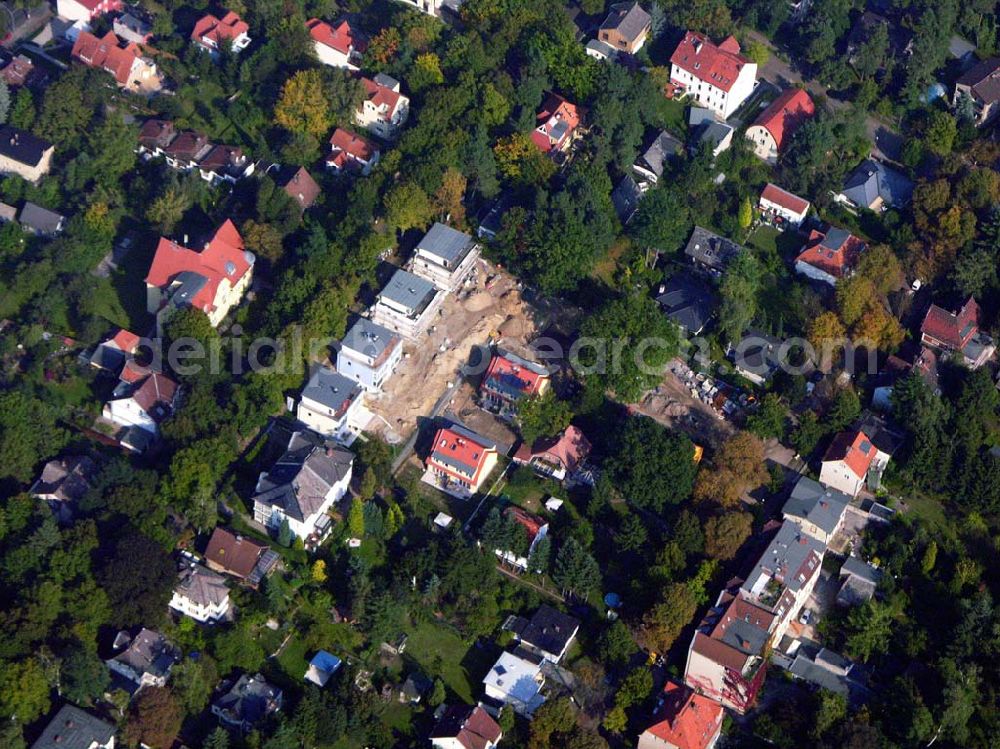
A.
x: 728, y: 655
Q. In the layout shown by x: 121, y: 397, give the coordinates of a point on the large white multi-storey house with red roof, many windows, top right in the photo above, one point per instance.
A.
x: 715, y: 76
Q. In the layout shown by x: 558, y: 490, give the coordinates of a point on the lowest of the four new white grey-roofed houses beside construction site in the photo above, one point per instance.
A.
x: 331, y: 404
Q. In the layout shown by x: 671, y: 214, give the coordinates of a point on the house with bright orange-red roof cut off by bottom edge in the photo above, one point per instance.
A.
x: 684, y: 720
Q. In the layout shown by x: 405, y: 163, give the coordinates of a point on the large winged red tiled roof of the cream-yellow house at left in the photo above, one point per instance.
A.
x: 224, y: 257
